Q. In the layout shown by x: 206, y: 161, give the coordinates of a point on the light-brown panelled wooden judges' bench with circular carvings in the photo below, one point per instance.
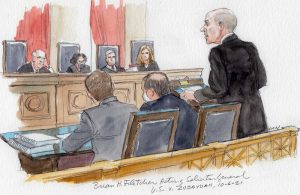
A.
x: 51, y: 100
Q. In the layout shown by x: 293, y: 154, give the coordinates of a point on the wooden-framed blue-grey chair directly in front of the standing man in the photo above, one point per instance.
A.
x: 217, y: 123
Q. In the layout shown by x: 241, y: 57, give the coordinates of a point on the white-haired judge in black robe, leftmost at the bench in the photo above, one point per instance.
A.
x: 37, y: 65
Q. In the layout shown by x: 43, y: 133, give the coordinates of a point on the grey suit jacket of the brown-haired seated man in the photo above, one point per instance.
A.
x: 105, y: 125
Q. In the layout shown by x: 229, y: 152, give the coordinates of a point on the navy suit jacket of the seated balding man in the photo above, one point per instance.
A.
x: 187, y: 122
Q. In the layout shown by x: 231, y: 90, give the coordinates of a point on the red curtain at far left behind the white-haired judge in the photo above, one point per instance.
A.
x: 35, y: 29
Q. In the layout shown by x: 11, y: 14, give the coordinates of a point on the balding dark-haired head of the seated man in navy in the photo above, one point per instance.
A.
x: 158, y: 81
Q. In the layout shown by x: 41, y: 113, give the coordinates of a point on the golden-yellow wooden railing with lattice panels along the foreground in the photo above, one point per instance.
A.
x: 273, y: 145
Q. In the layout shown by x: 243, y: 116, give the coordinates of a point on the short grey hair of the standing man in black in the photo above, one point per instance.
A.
x: 224, y: 16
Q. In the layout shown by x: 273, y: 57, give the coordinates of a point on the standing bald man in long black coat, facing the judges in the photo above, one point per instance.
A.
x: 236, y: 74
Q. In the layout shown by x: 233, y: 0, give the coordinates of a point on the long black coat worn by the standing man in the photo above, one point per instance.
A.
x: 237, y: 74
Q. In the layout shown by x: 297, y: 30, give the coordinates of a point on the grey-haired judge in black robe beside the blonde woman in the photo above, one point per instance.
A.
x: 110, y: 59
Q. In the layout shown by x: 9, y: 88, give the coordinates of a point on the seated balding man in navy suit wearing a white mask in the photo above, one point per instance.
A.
x: 157, y: 96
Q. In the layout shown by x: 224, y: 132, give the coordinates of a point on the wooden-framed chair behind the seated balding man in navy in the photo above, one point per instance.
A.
x: 150, y: 133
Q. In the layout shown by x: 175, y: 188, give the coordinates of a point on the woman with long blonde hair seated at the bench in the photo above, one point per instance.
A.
x: 145, y: 60
